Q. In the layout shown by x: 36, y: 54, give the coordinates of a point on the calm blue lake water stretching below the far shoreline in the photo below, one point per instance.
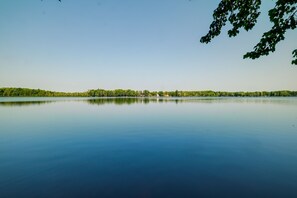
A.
x: 117, y: 148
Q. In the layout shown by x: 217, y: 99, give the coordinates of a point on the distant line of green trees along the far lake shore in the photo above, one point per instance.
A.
x: 25, y: 92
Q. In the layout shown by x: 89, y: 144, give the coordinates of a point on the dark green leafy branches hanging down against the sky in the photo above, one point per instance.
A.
x: 244, y: 14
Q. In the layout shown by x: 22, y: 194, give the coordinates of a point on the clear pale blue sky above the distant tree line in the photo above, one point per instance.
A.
x: 78, y: 45
